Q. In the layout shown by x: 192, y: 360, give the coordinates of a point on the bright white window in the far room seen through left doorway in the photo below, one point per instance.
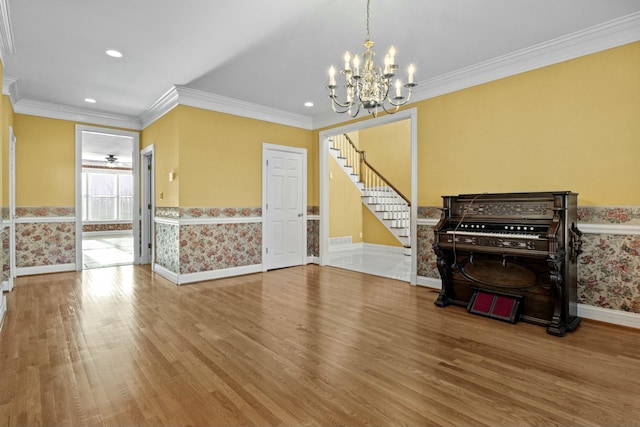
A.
x: 107, y: 196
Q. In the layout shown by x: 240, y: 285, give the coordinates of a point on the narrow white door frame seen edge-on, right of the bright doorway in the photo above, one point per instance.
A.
x: 147, y: 189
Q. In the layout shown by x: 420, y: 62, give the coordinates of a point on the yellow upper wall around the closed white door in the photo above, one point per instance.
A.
x: 221, y: 156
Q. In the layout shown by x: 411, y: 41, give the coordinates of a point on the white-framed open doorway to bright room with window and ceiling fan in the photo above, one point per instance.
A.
x: 107, y: 204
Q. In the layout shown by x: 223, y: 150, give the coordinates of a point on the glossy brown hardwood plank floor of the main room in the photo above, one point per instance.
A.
x: 302, y: 346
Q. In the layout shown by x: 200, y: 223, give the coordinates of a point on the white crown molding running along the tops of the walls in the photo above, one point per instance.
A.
x: 600, y: 37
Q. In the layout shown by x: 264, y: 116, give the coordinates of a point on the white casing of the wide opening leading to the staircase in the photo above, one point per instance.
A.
x: 326, y: 257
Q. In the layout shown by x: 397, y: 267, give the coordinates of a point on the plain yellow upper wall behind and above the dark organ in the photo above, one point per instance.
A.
x: 570, y: 126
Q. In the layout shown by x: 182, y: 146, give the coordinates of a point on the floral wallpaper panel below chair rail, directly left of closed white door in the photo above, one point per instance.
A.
x: 207, y: 247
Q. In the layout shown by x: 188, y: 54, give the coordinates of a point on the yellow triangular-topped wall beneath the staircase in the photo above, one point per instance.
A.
x: 345, y: 204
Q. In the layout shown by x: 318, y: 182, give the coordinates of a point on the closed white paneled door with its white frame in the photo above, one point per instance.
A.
x: 284, y: 207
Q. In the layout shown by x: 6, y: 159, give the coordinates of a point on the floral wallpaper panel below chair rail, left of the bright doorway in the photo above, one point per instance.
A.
x: 39, y: 244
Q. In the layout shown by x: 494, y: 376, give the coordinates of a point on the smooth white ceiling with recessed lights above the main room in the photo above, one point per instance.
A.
x: 271, y: 53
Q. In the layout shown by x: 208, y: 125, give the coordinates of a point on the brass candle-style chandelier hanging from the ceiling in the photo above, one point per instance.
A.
x: 367, y: 84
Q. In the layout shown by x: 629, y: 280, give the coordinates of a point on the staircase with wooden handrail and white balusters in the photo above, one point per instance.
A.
x: 388, y: 204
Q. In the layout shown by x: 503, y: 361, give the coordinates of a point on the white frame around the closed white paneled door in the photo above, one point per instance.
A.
x: 266, y: 237
